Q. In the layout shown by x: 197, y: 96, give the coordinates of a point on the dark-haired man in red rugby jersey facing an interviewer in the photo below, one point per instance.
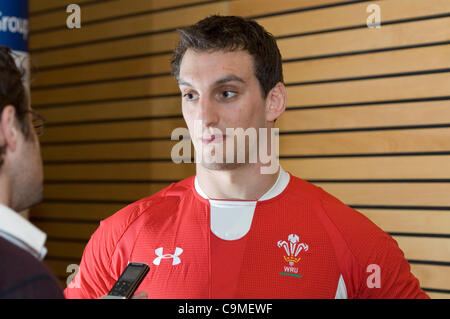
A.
x: 233, y: 230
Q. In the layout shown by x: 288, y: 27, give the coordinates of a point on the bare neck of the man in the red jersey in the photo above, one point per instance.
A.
x: 242, y: 183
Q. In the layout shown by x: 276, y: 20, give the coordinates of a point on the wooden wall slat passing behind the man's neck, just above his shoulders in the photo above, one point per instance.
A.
x: 412, y: 167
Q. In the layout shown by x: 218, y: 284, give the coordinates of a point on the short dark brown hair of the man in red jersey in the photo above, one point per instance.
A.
x: 231, y: 33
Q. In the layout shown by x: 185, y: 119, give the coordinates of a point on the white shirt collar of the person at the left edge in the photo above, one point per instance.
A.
x: 22, y: 233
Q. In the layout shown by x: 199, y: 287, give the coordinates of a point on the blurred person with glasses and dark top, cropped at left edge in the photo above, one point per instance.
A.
x: 22, y: 245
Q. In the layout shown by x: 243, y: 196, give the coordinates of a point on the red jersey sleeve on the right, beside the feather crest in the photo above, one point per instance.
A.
x: 378, y: 268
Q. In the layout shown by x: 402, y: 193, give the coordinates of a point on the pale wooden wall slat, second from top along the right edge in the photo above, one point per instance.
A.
x: 395, y: 35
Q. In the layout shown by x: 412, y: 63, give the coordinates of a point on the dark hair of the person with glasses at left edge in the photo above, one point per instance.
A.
x: 12, y: 92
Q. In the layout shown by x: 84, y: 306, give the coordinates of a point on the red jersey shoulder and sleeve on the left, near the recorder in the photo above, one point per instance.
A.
x: 109, y: 248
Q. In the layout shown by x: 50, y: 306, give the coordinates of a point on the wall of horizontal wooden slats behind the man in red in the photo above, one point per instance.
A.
x: 368, y: 112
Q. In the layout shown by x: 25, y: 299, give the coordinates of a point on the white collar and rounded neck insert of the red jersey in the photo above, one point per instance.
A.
x: 231, y: 220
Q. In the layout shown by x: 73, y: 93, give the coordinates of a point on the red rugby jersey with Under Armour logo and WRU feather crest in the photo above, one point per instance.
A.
x: 303, y: 243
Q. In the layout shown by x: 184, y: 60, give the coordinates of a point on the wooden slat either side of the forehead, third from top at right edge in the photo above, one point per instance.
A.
x: 379, y: 63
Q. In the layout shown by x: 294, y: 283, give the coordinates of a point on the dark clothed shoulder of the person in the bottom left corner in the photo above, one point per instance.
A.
x: 23, y: 276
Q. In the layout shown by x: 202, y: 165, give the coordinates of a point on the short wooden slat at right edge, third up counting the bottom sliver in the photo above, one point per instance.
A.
x: 423, y: 248
